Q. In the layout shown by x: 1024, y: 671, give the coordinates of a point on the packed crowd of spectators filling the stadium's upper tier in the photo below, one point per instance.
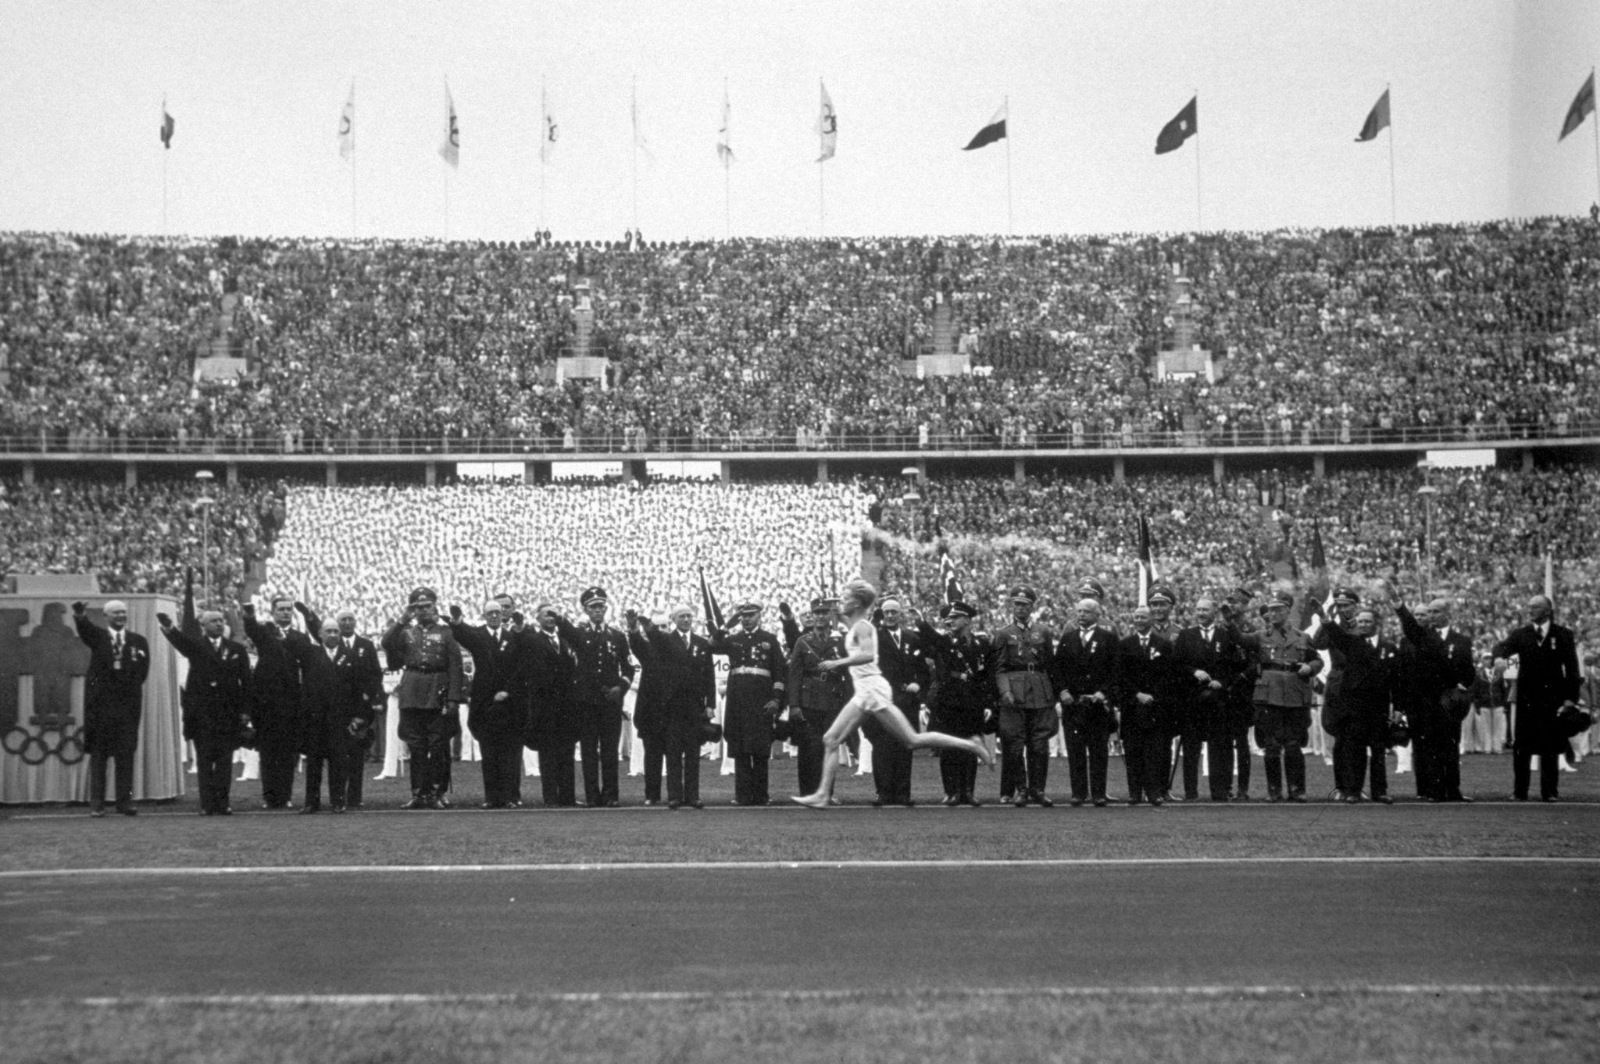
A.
x: 1322, y: 337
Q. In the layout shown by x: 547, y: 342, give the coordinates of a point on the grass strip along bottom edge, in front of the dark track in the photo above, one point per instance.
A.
x: 1462, y: 1026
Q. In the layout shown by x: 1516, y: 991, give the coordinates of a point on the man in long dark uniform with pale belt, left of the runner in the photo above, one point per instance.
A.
x: 756, y: 692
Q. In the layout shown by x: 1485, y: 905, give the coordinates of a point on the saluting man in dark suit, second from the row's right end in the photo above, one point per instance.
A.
x: 1436, y: 682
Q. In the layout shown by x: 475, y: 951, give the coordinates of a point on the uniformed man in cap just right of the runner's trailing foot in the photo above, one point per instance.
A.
x: 1020, y: 663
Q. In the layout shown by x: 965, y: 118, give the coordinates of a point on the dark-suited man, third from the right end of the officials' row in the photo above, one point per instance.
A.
x: 1367, y: 665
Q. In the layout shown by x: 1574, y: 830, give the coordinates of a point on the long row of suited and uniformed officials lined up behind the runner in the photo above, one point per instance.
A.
x: 556, y: 686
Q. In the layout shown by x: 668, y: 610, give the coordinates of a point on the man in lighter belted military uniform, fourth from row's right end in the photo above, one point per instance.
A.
x: 1282, y: 697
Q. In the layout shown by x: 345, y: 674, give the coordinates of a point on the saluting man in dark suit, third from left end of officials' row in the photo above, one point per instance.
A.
x: 278, y: 690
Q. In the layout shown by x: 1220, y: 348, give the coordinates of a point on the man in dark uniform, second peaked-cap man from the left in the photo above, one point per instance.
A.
x: 599, y: 686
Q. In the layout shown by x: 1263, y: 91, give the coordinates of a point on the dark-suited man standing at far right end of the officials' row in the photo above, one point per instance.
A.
x: 1546, y: 679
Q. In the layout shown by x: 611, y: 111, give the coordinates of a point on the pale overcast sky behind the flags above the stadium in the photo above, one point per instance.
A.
x: 1479, y: 90
